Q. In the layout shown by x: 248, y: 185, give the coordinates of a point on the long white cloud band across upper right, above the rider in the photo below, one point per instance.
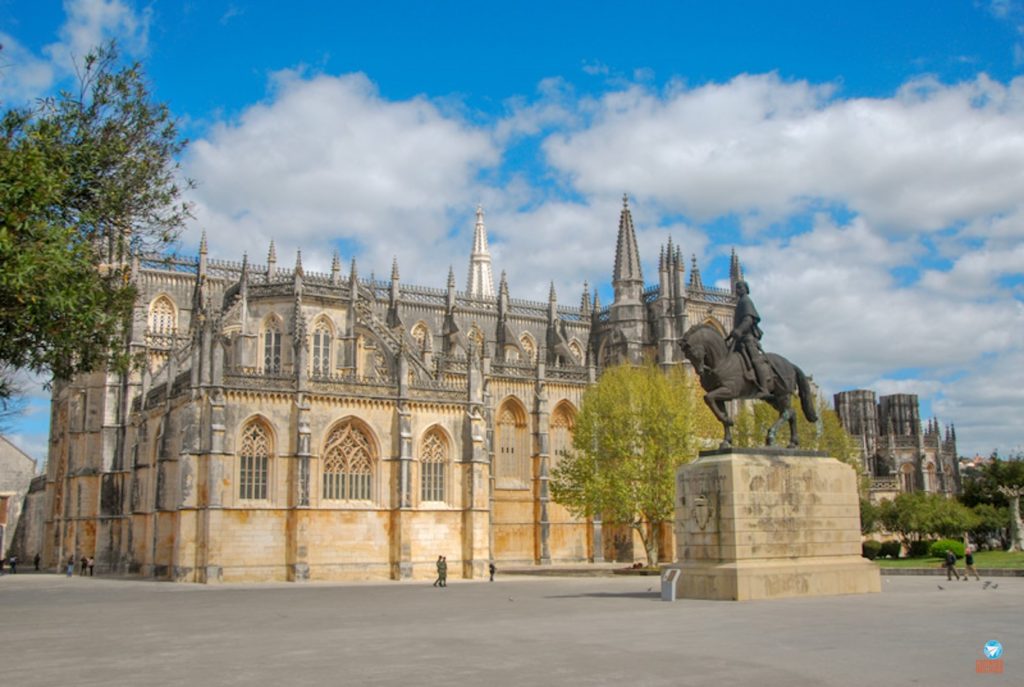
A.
x: 929, y: 157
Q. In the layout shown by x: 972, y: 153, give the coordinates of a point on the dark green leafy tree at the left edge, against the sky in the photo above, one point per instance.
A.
x: 87, y: 179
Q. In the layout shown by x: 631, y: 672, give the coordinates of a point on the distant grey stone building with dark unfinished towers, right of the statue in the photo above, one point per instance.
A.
x: 898, y: 454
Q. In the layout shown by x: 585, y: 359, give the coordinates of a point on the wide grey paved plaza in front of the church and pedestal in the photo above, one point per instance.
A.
x: 518, y: 631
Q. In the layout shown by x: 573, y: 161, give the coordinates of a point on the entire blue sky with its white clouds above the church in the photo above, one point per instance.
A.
x: 866, y: 160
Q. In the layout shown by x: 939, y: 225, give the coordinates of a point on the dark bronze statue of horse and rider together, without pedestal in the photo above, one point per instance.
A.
x: 736, y: 367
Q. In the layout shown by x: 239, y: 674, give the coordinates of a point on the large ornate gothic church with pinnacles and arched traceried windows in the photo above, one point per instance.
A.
x: 296, y: 426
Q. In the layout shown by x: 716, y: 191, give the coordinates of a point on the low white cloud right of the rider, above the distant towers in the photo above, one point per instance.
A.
x: 830, y: 304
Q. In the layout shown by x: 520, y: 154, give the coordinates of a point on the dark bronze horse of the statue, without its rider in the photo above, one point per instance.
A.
x: 724, y: 377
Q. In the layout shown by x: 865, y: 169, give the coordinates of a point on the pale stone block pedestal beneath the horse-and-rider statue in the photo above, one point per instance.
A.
x: 766, y: 524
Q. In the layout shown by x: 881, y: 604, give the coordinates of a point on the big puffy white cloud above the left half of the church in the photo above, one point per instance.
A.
x: 327, y: 159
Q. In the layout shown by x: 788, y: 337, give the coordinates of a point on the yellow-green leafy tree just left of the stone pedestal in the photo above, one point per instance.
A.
x: 636, y: 426
